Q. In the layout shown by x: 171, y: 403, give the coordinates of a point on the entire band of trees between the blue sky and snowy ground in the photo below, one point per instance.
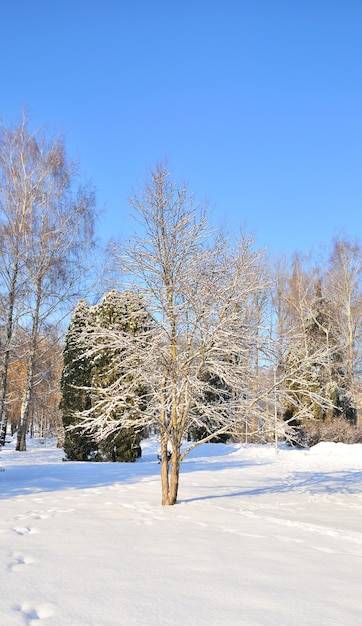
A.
x: 204, y: 336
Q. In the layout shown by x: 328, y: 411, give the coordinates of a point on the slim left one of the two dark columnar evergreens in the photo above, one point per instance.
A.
x: 76, y: 378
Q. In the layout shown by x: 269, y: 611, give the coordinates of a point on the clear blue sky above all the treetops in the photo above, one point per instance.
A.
x: 257, y: 103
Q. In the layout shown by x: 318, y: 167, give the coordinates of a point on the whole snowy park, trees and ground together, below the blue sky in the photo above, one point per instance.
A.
x: 187, y: 448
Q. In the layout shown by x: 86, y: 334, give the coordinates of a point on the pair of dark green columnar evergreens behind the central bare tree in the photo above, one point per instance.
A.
x: 91, y: 373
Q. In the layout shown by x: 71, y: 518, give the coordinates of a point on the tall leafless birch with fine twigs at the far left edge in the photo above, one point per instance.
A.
x: 47, y: 224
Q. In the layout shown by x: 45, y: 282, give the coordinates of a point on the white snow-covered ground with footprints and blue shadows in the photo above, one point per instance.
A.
x: 257, y: 538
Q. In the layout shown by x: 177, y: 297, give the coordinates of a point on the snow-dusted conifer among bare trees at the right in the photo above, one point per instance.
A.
x: 314, y: 385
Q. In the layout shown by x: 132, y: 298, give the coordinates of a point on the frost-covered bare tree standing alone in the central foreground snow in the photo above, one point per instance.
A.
x: 199, y: 290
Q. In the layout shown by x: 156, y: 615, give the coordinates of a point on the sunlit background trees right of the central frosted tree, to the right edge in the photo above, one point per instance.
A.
x: 318, y: 311
